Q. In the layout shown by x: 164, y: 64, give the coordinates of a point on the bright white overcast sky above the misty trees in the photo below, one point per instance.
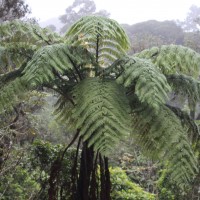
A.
x: 124, y: 11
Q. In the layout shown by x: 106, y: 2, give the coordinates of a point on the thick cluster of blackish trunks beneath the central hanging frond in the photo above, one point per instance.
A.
x: 88, y: 188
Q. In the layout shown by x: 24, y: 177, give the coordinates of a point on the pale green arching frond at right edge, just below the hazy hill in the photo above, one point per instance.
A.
x: 173, y: 59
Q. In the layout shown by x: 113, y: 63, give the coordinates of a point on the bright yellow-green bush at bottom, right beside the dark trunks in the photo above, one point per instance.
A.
x: 124, y: 189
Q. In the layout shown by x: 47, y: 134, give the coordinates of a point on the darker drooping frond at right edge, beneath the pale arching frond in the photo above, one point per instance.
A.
x: 185, y: 86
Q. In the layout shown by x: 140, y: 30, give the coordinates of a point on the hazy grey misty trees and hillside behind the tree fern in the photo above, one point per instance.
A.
x: 143, y: 34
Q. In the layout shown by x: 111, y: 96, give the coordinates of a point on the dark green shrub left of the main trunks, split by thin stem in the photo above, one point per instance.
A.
x: 43, y: 157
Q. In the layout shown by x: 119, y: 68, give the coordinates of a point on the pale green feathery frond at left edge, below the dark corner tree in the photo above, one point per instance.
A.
x: 19, y: 40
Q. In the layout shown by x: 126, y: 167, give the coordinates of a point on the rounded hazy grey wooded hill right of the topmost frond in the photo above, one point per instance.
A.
x: 153, y: 33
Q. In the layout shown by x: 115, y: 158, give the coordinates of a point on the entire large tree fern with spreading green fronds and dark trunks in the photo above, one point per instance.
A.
x: 104, y: 96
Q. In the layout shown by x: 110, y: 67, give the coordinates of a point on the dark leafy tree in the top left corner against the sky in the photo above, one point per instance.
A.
x: 13, y: 9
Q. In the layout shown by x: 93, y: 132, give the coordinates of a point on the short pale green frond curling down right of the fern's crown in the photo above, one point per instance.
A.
x: 145, y: 81
